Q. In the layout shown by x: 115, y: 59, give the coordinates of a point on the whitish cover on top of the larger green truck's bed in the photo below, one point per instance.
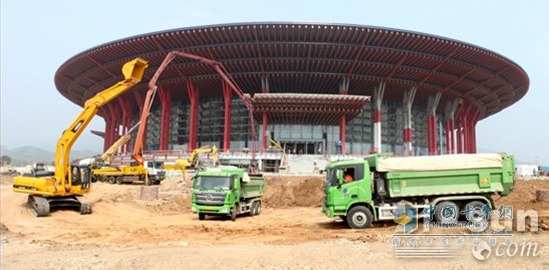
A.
x: 438, y: 163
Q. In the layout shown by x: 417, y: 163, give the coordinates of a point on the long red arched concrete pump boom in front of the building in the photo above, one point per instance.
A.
x: 218, y: 67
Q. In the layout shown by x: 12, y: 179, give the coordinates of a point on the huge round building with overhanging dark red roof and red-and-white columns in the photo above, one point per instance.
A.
x: 316, y: 88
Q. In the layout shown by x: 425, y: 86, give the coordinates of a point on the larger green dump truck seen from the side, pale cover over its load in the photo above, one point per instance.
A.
x: 380, y: 182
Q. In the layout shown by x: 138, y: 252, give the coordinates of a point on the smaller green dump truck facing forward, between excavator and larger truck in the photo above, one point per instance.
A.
x: 227, y: 191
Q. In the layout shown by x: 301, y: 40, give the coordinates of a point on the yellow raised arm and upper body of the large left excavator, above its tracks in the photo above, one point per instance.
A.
x: 61, y: 183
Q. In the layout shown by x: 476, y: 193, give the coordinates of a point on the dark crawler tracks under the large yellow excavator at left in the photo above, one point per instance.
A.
x: 42, y: 205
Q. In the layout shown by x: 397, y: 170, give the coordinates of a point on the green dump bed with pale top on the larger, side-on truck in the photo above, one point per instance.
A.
x: 447, y: 175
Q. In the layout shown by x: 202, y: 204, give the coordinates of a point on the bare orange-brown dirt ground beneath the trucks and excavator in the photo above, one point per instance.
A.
x: 291, y: 233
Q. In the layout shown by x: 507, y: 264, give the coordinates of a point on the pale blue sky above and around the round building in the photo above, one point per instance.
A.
x: 37, y: 37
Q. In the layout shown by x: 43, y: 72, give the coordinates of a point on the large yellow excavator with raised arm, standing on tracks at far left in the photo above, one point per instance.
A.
x: 64, y: 188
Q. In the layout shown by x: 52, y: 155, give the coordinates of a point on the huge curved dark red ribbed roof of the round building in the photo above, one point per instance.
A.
x: 306, y: 58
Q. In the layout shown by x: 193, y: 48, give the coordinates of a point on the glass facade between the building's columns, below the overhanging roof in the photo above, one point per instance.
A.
x: 304, y: 139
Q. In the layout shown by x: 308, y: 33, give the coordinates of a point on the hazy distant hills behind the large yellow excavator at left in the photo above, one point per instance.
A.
x: 30, y: 154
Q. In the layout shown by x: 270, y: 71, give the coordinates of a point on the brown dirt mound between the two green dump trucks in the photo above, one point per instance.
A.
x: 287, y: 191
